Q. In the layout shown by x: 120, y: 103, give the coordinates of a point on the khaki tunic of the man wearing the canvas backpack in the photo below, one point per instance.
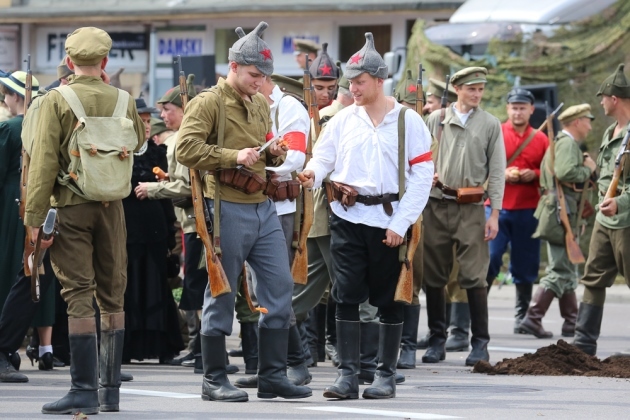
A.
x: 50, y: 148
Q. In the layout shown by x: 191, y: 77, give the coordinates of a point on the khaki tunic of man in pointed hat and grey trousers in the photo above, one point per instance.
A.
x: 246, y: 125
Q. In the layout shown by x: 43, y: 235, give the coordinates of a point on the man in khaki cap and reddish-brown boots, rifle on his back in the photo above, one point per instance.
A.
x: 573, y: 170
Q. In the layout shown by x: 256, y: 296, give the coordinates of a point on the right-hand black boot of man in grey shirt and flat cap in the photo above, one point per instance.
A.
x: 478, y: 302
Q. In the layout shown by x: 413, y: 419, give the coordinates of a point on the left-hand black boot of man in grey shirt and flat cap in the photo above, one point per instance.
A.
x: 436, y: 313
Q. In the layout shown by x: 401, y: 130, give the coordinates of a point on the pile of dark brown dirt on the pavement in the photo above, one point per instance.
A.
x: 558, y: 360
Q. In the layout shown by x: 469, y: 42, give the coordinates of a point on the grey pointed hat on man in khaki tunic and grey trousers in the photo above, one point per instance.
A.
x: 251, y: 50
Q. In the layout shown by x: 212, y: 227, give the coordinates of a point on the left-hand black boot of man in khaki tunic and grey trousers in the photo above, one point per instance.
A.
x: 216, y: 386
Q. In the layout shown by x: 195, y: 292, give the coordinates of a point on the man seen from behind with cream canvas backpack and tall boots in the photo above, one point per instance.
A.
x: 69, y: 170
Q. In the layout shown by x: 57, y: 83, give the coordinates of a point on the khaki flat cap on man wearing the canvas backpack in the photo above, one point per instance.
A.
x: 88, y: 46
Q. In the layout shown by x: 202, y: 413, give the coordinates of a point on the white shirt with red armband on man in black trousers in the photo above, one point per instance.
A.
x: 366, y: 158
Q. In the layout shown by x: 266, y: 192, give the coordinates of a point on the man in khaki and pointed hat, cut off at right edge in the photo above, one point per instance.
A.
x: 609, y: 250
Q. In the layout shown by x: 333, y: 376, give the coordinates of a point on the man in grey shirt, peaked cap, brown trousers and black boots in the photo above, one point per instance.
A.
x: 470, y: 151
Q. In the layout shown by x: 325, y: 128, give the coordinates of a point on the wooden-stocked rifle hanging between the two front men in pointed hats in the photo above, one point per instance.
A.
x: 299, y: 266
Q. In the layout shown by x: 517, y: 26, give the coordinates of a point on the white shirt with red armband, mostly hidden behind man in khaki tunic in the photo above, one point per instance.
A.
x: 293, y: 120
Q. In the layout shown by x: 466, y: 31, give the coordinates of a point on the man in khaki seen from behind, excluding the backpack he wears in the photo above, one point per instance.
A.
x: 89, y: 256
